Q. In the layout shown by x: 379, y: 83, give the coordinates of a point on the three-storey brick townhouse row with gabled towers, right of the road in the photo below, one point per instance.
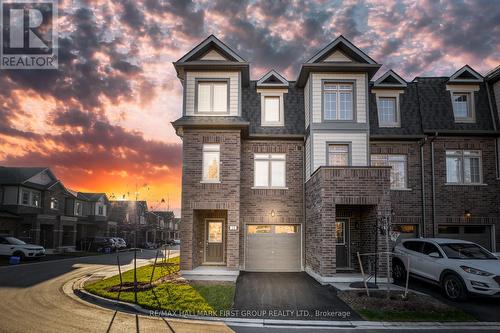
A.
x: 285, y: 175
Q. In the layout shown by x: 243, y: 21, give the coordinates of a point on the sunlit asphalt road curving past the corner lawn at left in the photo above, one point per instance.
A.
x: 32, y: 300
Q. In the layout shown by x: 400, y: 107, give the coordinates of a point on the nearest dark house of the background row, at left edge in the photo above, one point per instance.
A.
x: 33, y: 206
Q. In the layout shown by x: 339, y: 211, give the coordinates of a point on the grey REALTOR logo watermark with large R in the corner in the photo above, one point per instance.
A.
x: 29, y: 34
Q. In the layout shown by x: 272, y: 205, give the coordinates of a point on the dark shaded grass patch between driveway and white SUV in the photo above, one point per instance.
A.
x: 415, y: 307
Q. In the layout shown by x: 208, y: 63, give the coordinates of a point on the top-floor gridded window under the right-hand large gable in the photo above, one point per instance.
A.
x: 338, y: 101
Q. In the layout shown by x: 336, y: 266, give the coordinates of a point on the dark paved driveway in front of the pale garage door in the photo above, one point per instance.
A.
x: 288, y: 296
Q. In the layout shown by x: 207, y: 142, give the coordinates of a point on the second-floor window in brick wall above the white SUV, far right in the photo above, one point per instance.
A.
x: 463, y: 167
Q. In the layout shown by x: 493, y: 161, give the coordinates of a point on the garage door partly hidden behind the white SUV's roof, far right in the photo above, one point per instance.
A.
x: 479, y: 234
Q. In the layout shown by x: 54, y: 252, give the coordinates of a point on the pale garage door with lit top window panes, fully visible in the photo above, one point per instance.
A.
x: 273, y: 248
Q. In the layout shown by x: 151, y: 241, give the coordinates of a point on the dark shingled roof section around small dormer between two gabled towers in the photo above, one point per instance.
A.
x: 294, y: 111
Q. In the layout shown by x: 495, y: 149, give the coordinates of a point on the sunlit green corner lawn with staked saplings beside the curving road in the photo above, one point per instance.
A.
x: 173, y: 295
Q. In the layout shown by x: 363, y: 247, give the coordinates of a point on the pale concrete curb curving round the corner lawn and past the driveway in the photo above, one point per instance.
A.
x: 77, y: 289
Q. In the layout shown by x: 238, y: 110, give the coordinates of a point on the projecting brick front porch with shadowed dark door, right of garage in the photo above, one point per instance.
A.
x: 343, y: 208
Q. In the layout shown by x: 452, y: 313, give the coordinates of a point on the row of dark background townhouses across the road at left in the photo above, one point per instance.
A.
x: 37, y: 208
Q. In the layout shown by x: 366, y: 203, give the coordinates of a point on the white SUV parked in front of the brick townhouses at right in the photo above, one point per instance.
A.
x: 459, y: 267
